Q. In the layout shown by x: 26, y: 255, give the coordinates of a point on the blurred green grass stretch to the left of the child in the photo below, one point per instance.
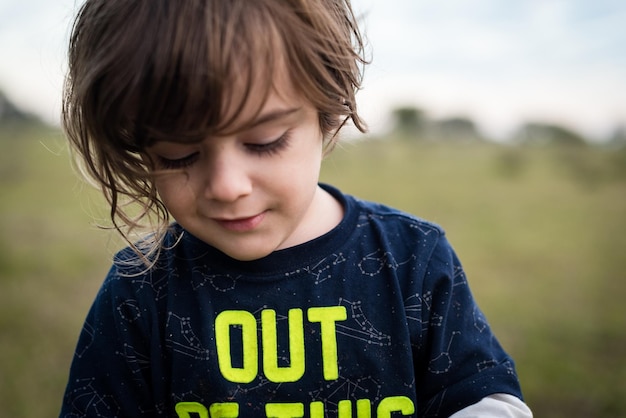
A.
x: 52, y: 260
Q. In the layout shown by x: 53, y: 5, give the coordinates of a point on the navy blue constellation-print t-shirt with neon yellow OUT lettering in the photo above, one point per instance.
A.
x: 373, y: 319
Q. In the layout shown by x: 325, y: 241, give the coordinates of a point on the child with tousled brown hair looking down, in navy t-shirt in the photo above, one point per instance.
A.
x: 269, y: 295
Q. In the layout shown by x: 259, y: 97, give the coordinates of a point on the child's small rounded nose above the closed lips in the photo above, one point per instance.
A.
x: 227, y: 179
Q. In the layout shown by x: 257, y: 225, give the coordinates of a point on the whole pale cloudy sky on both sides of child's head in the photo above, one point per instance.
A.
x: 499, y: 63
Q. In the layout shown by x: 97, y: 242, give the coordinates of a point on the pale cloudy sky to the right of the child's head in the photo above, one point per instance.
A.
x: 501, y: 62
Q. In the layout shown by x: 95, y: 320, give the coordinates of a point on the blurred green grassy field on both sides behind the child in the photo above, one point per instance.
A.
x: 541, y: 232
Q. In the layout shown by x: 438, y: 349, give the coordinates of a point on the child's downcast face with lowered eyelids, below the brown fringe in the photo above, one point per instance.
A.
x: 253, y: 192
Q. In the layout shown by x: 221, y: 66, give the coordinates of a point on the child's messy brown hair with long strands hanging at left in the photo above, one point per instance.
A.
x: 141, y: 71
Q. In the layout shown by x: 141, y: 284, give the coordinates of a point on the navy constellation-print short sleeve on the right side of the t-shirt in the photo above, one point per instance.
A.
x: 461, y: 361
